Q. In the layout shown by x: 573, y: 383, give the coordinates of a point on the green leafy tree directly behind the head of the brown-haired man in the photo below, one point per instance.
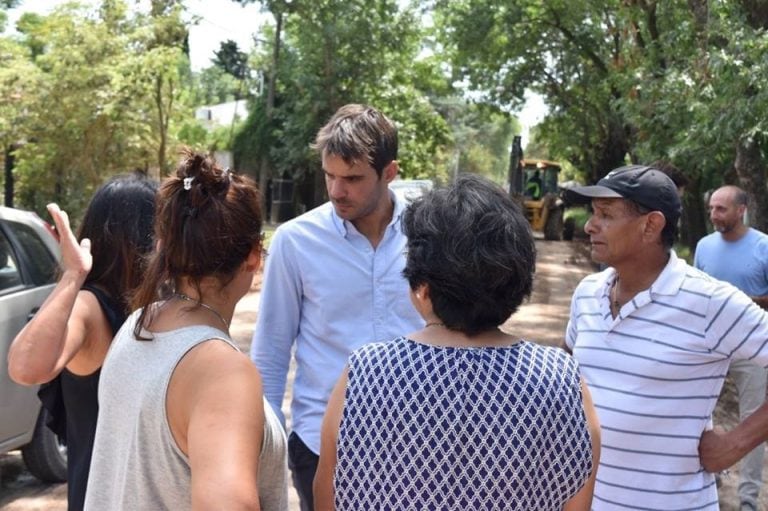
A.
x: 334, y: 53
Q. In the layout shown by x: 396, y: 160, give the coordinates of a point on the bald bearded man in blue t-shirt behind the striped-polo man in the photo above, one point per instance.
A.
x: 738, y: 254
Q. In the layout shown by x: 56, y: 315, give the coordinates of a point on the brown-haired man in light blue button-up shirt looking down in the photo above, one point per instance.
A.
x: 333, y: 280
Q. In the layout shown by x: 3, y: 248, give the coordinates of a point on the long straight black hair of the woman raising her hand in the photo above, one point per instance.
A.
x: 118, y: 221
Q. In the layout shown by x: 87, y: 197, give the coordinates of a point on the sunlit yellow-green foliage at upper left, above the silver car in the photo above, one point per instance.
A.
x: 90, y: 96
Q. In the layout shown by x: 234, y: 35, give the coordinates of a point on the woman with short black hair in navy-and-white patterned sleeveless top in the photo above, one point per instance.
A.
x: 460, y: 415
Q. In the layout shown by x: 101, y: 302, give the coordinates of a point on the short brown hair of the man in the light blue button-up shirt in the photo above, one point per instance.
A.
x: 359, y: 132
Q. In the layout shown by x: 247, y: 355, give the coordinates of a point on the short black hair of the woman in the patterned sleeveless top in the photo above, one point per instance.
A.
x: 472, y: 245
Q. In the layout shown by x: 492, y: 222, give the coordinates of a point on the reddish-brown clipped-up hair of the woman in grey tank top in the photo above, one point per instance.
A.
x: 208, y: 220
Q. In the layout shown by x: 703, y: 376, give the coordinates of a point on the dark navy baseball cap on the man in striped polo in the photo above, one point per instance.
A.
x: 647, y: 186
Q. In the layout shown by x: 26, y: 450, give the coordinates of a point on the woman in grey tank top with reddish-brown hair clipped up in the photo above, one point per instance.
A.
x: 183, y: 423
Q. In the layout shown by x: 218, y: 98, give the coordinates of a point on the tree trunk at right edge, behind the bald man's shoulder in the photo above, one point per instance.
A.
x: 750, y: 168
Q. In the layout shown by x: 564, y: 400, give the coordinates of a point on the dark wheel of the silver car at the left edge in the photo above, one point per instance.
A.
x: 46, y: 455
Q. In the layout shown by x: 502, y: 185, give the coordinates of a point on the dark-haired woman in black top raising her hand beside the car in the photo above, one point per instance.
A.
x: 66, y: 341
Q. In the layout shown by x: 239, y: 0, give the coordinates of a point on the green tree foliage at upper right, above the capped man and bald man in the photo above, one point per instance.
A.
x: 626, y: 81
